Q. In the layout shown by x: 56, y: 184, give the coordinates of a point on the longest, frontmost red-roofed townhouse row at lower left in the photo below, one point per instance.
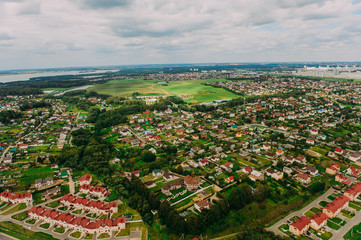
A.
x: 81, y: 224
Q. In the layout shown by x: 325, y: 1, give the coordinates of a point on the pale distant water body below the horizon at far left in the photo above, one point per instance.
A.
x: 26, y: 76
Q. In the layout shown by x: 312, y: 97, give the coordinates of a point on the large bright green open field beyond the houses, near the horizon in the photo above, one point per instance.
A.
x: 192, y: 90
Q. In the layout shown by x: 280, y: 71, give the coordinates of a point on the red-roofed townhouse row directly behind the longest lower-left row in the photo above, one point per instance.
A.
x: 98, y: 207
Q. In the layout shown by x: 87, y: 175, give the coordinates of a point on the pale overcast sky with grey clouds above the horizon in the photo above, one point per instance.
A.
x: 65, y: 33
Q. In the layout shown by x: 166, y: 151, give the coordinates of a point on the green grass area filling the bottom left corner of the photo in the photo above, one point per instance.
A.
x: 21, y: 233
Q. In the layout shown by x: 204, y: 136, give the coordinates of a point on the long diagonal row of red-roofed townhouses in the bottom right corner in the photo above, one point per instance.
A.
x: 331, y: 210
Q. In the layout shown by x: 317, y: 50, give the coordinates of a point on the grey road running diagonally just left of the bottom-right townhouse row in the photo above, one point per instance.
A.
x: 323, y: 197
